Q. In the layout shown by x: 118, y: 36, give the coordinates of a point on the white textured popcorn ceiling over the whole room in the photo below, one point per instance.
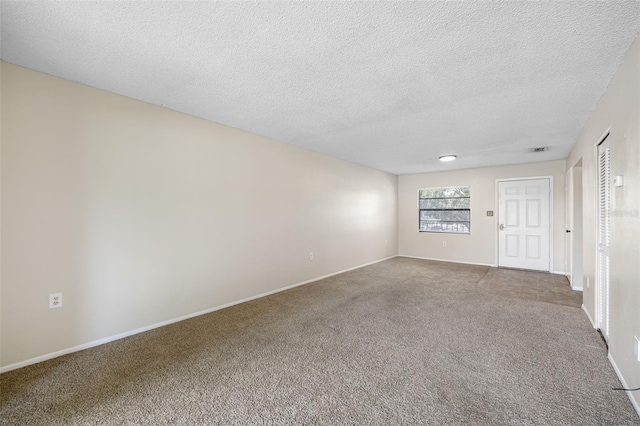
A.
x: 392, y: 85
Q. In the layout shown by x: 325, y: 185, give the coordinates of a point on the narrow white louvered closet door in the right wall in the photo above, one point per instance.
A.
x: 604, y: 227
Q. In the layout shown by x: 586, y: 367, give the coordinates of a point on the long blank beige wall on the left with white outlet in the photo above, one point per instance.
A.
x: 139, y: 214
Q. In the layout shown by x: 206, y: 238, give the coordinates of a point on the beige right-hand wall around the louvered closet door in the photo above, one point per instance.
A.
x: 618, y: 111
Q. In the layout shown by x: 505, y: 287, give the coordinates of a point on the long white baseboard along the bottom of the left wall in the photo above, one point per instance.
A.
x: 119, y: 336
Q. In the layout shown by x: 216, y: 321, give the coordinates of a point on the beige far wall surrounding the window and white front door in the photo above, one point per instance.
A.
x: 480, y: 246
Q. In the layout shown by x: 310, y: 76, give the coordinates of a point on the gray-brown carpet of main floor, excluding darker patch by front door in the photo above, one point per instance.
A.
x: 403, y: 341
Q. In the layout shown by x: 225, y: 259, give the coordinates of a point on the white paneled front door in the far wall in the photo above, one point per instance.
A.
x: 524, y: 224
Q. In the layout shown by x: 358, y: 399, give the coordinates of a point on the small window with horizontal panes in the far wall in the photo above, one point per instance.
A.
x: 445, y: 210
